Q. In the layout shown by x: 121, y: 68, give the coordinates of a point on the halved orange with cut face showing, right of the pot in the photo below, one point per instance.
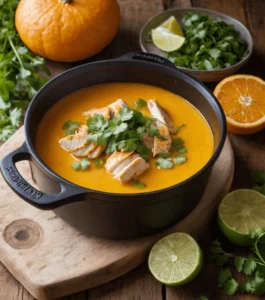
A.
x: 243, y: 100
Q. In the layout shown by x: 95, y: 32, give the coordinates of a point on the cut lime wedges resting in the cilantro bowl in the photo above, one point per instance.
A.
x: 168, y: 36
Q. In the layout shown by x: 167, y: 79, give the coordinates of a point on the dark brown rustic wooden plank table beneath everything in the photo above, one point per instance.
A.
x: 249, y: 155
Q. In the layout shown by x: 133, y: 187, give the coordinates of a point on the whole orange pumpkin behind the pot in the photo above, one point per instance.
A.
x: 67, y: 30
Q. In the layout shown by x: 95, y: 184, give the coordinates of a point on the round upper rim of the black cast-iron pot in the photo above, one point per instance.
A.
x: 181, y: 75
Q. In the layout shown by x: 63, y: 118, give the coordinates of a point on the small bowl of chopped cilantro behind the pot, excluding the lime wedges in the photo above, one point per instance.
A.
x: 216, y: 45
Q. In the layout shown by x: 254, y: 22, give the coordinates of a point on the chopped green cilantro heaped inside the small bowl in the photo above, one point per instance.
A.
x: 210, y: 44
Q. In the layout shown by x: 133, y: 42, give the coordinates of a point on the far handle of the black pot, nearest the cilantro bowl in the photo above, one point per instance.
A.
x: 150, y: 57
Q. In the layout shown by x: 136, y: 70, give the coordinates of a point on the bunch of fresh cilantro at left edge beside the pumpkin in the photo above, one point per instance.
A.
x: 20, y: 69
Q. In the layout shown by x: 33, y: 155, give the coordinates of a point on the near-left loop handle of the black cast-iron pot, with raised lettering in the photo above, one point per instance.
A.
x: 26, y: 191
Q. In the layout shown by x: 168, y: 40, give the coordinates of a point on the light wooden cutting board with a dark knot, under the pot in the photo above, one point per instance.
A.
x: 52, y: 259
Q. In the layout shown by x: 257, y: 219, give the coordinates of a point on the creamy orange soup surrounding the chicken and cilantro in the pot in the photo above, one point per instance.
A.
x: 196, y: 134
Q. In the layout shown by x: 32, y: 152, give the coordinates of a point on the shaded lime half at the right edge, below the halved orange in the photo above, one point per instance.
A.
x: 240, y: 213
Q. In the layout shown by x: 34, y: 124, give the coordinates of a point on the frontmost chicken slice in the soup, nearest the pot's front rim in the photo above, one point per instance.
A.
x: 136, y: 168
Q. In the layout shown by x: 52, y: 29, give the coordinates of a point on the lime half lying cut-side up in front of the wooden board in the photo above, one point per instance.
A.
x: 176, y: 259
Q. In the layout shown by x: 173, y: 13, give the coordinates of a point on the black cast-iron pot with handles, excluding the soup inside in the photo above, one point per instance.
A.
x: 108, y: 214
